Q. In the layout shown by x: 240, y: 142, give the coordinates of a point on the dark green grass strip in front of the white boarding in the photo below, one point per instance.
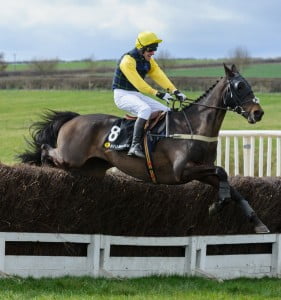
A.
x: 173, y: 287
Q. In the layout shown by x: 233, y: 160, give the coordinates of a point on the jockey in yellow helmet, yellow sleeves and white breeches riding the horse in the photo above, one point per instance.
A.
x: 129, y: 86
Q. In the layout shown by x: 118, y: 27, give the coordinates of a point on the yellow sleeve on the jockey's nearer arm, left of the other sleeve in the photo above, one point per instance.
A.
x: 128, y: 67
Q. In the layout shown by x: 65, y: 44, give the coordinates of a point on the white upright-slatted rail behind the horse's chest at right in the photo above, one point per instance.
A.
x: 250, y: 152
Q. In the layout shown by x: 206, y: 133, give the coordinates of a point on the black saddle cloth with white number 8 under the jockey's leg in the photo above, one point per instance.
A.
x: 121, y: 133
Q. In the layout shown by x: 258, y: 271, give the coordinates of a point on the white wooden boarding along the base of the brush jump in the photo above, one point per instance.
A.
x: 103, y: 256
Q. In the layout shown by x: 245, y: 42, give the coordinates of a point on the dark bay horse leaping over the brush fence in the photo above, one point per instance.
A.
x: 72, y: 141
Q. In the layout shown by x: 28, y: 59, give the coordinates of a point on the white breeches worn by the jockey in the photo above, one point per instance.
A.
x: 137, y: 104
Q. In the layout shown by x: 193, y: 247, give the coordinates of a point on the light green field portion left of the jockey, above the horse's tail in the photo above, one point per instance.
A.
x: 19, y: 109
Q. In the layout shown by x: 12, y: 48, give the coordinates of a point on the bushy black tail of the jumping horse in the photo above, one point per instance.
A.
x: 44, y: 132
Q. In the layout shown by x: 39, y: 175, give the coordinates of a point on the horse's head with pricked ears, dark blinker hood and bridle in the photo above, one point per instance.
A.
x: 240, y: 97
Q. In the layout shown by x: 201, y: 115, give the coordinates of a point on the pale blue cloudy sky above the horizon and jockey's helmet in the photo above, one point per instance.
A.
x: 105, y: 29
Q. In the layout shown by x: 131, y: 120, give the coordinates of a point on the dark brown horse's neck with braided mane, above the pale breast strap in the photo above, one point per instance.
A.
x: 207, y: 121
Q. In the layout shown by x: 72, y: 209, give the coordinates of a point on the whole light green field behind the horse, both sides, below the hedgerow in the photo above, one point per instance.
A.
x: 20, y: 108
